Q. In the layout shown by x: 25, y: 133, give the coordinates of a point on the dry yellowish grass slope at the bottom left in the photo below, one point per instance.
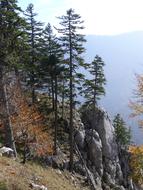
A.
x: 15, y: 176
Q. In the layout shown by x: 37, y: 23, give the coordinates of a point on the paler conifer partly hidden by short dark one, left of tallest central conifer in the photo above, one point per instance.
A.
x: 50, y: 47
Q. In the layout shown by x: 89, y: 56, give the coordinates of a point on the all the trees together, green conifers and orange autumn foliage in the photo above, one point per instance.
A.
x: 42, y: 81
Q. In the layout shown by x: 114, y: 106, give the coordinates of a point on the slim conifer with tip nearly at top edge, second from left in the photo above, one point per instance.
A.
x: 34, y: 31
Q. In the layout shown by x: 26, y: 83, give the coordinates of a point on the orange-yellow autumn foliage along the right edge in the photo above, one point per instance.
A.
x: 136, y: 161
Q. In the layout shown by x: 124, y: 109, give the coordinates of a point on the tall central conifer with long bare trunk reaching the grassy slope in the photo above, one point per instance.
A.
x: 73, y: 45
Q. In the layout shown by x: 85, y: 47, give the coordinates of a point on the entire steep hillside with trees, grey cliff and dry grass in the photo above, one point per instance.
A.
x: 43, y: 122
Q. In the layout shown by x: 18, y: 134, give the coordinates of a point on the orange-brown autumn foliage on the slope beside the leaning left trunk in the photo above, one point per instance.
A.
x: 28, y: 124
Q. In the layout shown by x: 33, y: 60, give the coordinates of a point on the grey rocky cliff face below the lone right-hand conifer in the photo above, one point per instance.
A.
x: 97, y: 145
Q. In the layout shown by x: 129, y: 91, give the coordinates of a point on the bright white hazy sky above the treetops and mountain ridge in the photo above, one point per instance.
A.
x: 102, y: 17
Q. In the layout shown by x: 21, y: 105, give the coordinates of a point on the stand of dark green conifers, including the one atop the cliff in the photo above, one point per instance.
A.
x: 36, y: 58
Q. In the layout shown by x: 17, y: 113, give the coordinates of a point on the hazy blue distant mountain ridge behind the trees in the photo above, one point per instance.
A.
x: 123, y: 56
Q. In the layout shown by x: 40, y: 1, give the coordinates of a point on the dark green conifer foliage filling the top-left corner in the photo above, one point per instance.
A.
x: 11, y: 33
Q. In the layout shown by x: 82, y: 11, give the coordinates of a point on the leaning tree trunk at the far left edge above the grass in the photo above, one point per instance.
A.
x: 5, y: 115
